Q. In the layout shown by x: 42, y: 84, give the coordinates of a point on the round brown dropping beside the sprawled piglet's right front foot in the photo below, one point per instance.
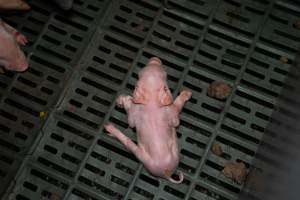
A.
x: 219, y: 90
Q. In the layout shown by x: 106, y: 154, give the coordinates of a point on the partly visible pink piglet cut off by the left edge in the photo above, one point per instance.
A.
x: 11, y: 56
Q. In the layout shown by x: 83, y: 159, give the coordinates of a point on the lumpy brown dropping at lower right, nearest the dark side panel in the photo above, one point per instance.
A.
x: 236, y: 171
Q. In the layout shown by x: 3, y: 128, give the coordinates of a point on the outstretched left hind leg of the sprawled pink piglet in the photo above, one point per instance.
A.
x: 127, y: 142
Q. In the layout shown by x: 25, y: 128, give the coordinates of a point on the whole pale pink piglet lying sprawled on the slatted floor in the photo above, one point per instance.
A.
x: 155, y: 115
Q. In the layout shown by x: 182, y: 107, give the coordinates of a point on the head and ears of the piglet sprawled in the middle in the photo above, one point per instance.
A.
x: 152, y: 85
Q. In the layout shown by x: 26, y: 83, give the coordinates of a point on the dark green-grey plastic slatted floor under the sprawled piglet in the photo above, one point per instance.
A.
x: 84, y: 59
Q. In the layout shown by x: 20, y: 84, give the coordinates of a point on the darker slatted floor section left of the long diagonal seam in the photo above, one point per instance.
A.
x: 57, y: 43
